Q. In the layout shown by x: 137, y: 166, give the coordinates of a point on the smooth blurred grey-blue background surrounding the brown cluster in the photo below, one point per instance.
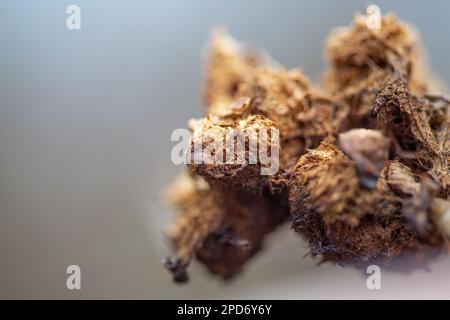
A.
x: 85, y: 124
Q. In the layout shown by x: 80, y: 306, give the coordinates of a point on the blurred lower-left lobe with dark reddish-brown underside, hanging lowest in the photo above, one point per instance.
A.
x: 221, y: 228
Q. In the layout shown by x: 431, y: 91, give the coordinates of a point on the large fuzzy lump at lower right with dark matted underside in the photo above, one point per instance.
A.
x: 348, y: 223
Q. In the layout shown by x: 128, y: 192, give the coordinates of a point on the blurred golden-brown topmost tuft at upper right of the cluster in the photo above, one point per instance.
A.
x: 356, y: 52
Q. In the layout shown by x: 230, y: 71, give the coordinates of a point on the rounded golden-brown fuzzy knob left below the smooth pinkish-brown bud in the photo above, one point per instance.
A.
x: 326, y: 181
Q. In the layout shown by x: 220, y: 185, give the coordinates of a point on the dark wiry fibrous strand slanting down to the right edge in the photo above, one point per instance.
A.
x: 406, y: 118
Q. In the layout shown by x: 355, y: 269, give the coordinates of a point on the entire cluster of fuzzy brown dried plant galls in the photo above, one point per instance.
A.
x: 364, y: 158
